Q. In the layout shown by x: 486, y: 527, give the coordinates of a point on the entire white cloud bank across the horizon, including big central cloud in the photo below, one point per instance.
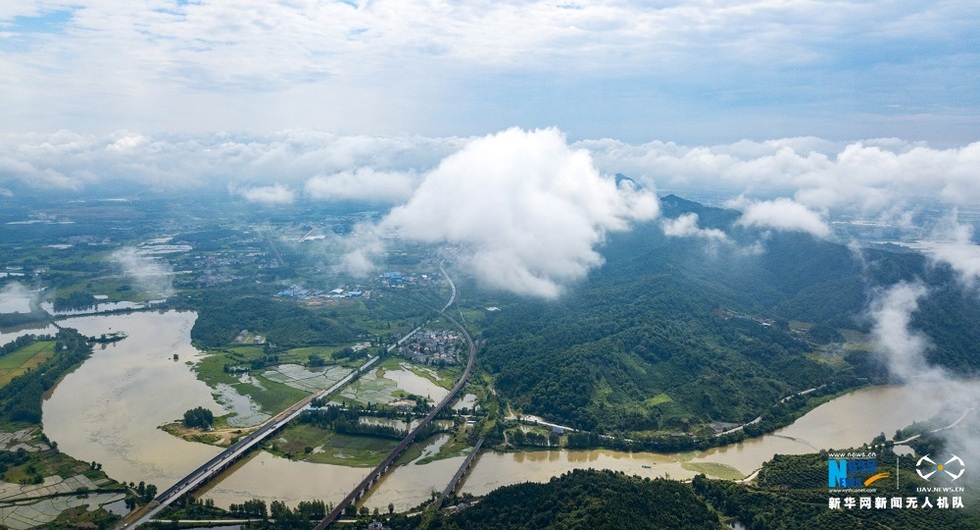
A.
x: 501, y: 196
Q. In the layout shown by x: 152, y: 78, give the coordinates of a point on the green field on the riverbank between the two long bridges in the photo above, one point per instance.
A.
x: 328, y: 447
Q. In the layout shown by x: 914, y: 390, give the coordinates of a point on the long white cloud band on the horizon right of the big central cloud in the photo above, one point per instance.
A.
x: 868, y: 177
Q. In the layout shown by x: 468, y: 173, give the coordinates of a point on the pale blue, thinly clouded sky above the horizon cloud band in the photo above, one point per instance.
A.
x: 698, y: 72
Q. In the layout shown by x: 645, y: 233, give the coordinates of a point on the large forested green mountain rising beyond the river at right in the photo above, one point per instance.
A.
x: 674, y: 332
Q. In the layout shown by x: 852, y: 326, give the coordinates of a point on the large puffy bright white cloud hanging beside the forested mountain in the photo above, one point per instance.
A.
x: 526, y: 210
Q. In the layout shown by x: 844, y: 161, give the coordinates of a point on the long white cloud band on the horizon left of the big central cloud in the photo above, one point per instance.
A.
x: 74, y: 161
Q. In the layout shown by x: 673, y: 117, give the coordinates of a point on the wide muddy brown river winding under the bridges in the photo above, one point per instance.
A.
x: 110, y: 408
